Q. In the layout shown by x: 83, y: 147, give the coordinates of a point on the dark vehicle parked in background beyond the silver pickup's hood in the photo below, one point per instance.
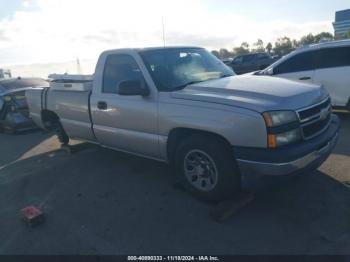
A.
x: 251, y: 62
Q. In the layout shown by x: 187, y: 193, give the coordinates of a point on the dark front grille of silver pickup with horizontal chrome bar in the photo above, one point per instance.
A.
x: 315, y: 119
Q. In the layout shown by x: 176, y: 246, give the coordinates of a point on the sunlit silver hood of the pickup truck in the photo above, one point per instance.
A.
x: 258, y: 93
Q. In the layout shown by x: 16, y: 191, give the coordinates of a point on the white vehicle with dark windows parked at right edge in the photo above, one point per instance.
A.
x: 325, y: 63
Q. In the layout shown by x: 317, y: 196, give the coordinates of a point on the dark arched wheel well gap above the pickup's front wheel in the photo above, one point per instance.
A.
x: 178, y: 134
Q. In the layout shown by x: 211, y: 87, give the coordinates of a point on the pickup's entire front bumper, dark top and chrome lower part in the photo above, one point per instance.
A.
x: 291, y: 159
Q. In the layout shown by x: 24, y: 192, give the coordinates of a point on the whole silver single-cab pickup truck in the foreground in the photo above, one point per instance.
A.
x: 185, y: 107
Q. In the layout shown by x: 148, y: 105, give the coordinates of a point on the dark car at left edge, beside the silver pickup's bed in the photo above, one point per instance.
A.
x: 14, y: 113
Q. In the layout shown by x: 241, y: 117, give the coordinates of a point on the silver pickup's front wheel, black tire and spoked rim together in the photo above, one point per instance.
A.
x: 206, y: 167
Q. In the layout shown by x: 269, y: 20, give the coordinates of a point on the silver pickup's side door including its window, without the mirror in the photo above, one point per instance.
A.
x: 126, y: 123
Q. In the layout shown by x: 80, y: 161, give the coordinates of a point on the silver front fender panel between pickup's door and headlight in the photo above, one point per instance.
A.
x: 240, y: 127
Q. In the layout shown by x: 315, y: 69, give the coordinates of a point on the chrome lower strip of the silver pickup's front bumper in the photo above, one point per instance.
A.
x: 315, y: 158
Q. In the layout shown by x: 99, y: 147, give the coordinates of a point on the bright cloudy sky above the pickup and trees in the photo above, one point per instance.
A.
x: 39, y: 36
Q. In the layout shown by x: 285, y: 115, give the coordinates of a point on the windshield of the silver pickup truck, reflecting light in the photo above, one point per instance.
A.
x: 174, y: 69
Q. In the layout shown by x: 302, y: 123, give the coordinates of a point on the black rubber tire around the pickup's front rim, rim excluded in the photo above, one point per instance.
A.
x: 228, y: 179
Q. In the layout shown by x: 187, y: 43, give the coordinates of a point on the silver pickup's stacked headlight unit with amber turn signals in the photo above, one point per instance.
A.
x: 282, y: 128
